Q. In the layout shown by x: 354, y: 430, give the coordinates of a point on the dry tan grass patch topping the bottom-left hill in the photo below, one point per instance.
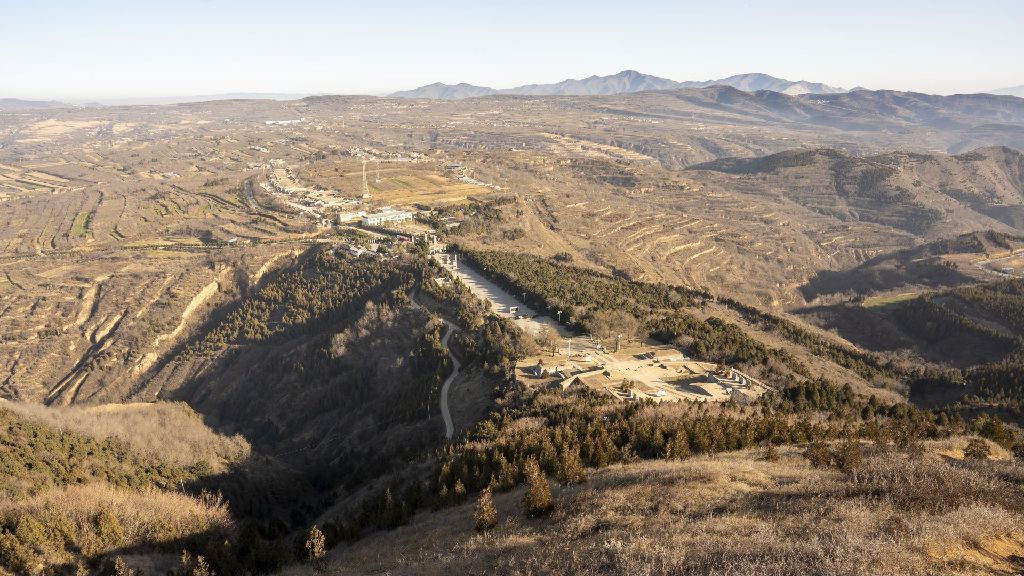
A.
x: 172, y: 432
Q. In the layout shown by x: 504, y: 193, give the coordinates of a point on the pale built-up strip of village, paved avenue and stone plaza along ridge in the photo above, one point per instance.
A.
x: 657, y: 374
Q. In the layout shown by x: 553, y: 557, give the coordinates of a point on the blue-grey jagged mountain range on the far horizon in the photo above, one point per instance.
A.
x: 624, y: 83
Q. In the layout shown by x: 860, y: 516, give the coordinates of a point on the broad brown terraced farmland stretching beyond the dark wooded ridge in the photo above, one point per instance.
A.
x: 113, y: 222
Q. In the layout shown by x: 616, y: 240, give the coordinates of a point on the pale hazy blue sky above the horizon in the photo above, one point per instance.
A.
x: 102, y: 50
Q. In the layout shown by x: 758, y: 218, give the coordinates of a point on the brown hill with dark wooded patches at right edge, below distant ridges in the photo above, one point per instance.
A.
x: 926, y: 196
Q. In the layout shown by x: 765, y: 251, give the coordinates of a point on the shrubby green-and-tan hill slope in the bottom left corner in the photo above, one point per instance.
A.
x: 72, y: 496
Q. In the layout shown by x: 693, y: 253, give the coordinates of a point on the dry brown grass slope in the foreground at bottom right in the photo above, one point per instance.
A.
x: 733, y: 515
